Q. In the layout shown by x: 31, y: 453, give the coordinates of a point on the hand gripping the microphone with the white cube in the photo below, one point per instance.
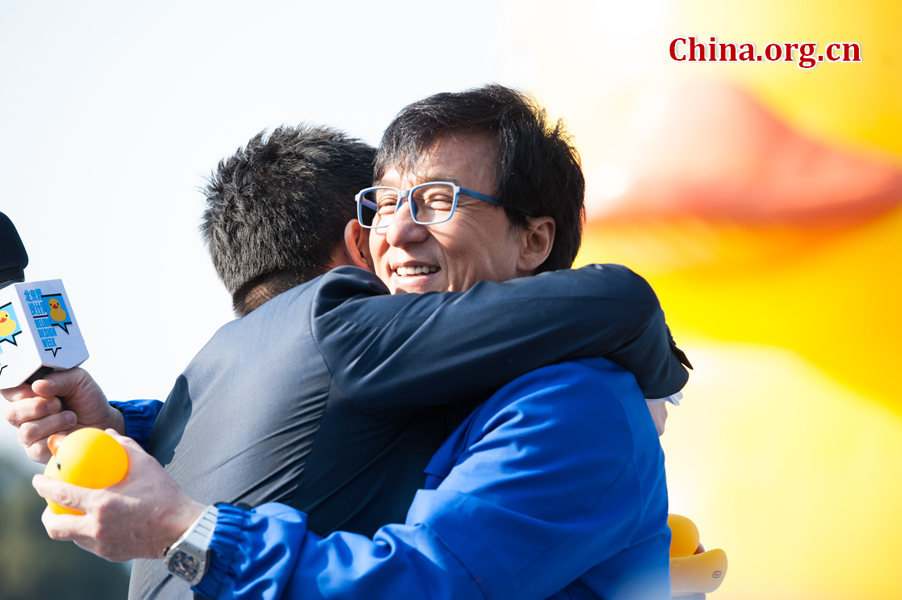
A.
x: 59, y: 403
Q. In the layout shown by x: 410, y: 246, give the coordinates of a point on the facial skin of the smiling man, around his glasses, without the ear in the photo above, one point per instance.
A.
x: 477, y: 244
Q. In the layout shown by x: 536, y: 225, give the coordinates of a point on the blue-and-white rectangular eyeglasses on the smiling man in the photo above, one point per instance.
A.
x: 430, y: 203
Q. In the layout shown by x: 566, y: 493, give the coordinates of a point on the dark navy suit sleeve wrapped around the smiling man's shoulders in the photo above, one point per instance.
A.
x: 469, y: 344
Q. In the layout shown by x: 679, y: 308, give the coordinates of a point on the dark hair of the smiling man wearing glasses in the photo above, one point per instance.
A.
x: 538, y: 168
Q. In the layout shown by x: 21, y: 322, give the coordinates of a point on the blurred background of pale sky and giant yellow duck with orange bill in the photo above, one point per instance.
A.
x: 761, y: 200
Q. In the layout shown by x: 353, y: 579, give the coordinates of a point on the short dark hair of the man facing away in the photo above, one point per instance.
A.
x: 276, y: 210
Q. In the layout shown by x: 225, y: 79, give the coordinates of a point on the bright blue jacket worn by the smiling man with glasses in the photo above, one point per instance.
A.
x: 553, y: 488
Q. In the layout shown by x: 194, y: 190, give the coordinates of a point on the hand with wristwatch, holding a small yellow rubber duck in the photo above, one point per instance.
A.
x: 139, y: 517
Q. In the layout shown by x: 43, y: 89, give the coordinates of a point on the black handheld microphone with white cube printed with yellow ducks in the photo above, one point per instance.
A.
x: 38, y: 332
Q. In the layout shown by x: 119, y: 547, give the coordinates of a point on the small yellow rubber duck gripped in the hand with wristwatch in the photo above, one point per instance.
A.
x: 86, y: 457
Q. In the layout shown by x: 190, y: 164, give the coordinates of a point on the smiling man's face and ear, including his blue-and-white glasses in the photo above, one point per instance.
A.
x: 478, y: 244
